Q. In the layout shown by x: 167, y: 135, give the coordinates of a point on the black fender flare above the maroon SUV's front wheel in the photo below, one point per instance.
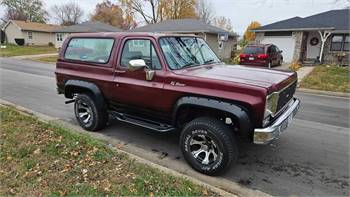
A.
x: 237, y: 111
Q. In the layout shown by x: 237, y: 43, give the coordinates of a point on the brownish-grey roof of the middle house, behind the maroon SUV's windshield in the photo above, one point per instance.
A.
x: 180, y: 26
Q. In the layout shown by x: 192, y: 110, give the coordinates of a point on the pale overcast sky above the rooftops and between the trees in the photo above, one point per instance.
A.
x: 242, y: 12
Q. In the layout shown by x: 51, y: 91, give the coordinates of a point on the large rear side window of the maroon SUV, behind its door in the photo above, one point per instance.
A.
x: 96, y: 50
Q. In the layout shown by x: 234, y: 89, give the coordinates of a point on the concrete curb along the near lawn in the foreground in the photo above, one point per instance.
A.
x: 241, y: 191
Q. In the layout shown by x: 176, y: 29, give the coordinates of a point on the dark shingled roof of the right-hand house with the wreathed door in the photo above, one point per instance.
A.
x: 332, y: 20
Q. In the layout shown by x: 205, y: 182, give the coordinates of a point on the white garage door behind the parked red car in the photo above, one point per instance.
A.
x: 284, y: 43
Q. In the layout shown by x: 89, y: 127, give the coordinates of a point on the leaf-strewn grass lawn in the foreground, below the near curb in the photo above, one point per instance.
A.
x: 39, y: 159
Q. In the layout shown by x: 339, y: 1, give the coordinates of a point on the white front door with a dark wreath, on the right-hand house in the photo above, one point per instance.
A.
x: 313, y: 45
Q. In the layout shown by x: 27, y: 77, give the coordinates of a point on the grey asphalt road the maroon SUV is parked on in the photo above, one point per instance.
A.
x: 311, y: 158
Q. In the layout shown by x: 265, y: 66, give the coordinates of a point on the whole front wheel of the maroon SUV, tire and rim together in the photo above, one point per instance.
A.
x: 208, y: 145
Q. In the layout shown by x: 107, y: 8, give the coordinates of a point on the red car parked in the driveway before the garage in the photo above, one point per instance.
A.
x: 267, y: 55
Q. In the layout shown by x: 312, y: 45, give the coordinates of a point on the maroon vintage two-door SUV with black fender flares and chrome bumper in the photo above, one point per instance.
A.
x: 170, y: 82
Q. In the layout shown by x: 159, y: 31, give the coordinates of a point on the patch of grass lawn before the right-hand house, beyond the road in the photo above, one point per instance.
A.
x: 329, y: 78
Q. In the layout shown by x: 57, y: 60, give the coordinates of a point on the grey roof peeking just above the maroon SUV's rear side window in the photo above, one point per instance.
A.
x: 88, y: 27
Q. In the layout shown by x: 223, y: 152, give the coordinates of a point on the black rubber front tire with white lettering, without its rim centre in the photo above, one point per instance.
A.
x: 220, y: 134
